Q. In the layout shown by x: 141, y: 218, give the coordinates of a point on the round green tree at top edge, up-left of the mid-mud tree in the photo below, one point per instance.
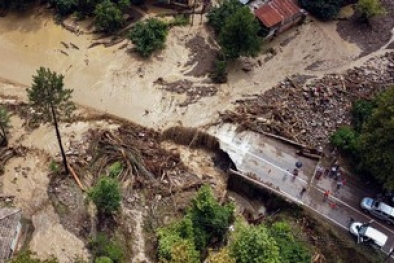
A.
x: 108, y: 17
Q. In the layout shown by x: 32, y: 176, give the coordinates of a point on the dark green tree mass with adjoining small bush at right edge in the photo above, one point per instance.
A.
x: 369, y: 142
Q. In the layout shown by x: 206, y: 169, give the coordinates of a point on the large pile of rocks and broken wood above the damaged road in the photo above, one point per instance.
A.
x: 308, y: 114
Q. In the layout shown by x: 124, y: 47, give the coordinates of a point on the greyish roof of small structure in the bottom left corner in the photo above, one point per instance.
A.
x: 10, y: 230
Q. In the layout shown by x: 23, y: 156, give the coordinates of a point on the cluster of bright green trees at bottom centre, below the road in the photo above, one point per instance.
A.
x: 207, y: 223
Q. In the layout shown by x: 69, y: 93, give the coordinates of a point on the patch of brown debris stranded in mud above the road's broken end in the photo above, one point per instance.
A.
x: 193, y: 92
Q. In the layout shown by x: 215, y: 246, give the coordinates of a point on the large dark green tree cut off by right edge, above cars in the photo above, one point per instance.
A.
x: 377, y: 140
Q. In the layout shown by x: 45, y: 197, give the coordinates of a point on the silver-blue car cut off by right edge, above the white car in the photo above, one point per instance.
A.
x: 378, y: 209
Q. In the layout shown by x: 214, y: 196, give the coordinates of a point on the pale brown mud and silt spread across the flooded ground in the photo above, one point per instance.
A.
x: 114, y: 81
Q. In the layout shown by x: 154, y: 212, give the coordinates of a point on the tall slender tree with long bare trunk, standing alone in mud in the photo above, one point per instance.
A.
x: 51, y: 101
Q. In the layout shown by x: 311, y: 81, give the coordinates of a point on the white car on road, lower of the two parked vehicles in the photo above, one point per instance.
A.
x: 367, y: 234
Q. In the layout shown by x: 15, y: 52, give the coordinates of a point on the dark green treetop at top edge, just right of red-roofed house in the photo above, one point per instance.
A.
x: 322, y: 9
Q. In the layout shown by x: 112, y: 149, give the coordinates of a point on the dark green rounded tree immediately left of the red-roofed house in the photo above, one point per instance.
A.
x: 239, y: 35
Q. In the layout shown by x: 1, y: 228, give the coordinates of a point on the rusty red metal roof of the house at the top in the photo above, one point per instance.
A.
x: 276, y: 11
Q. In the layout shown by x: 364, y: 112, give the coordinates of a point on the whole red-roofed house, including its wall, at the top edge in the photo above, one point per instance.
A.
x: 277, y: 16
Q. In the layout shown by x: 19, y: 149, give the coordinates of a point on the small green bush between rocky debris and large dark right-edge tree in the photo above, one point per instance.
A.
x: 345, y: 138
